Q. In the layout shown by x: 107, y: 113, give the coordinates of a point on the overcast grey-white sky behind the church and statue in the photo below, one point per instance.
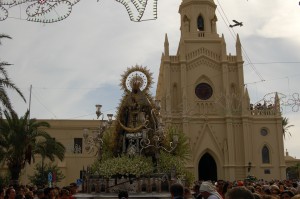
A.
x: 77, y: 62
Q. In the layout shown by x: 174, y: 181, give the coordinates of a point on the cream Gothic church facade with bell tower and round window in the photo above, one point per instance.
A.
x: 202, y: 92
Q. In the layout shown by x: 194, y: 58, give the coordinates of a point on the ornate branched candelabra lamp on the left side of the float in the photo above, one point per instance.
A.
x: 94, y: 141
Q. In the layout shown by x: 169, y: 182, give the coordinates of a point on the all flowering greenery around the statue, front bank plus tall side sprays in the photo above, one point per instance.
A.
x: 142, y: 166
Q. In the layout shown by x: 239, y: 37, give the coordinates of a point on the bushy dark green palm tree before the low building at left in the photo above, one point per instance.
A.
x: 23, y: 138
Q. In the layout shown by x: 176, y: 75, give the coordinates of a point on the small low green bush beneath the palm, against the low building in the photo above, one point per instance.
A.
x: 40, y: 176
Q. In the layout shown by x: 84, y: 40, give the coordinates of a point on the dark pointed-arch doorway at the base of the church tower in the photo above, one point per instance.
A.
x: 207, y: 168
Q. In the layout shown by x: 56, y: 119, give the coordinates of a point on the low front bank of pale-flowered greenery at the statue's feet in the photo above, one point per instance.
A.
x: 123, y: 165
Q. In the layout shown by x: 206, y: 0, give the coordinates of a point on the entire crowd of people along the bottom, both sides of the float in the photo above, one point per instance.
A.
x: 201, y: 190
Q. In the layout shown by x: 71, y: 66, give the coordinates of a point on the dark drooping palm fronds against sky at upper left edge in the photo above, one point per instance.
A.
x: 5, y: 82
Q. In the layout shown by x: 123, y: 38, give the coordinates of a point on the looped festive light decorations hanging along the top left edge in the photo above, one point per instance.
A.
x: 50, y: 11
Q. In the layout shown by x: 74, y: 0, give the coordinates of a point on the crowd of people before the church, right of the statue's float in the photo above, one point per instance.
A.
x: 238, y: 190
